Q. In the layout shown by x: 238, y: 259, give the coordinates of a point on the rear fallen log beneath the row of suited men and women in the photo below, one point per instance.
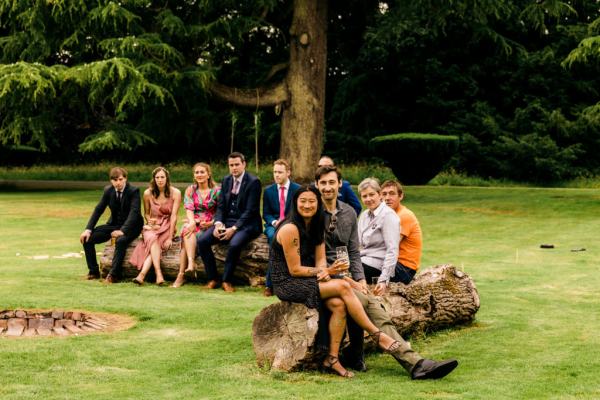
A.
x: 251, y: 268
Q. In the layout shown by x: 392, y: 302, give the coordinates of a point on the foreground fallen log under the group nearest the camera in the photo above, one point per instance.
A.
x: 284, y: 334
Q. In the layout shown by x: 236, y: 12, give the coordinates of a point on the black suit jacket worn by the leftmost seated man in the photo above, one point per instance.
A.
x: 125, y: 214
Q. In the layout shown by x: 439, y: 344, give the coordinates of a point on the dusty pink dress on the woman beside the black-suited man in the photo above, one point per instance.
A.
x: 162, y: 214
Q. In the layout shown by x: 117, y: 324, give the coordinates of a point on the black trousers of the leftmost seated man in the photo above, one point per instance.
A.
x: 101, y: 234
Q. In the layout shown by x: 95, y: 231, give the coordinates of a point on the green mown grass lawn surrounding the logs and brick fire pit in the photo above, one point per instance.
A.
x: 536, y: 334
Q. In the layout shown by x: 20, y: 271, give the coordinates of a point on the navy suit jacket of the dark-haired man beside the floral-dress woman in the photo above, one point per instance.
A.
x: 248, y: 203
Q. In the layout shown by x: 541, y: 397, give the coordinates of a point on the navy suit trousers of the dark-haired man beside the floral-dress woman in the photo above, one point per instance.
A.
x: 236, y: 245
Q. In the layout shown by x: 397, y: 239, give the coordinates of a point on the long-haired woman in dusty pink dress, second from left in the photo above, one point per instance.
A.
x: 161, y: 203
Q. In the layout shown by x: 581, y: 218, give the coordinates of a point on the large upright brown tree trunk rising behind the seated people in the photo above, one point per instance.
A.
x: 302, y: 122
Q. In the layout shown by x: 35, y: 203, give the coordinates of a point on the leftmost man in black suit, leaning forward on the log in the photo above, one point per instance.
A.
x: 124, y: 225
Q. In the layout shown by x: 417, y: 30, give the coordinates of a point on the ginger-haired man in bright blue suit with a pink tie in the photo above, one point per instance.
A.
x: 277, y: 199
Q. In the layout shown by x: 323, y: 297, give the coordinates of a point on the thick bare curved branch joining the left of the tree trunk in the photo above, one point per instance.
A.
x: 261, y: 96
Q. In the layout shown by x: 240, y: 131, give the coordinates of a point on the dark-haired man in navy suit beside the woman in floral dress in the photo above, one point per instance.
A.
x: 237, y: 221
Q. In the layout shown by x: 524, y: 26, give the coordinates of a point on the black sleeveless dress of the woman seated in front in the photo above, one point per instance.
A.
x: 304, y: 290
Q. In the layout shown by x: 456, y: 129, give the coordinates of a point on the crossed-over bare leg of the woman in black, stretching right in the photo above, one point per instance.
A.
x: 340, y: 288
